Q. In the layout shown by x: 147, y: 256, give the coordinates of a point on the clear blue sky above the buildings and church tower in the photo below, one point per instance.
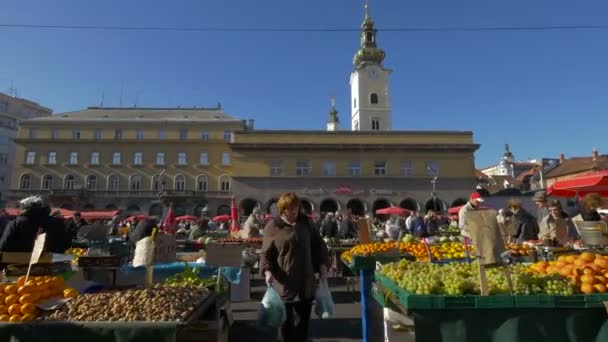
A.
x: 543, y: 92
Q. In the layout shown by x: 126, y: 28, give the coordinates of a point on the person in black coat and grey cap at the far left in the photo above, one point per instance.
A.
x: 20, y: 234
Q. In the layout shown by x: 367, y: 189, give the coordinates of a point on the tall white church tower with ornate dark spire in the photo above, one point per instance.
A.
x: 369, y: 82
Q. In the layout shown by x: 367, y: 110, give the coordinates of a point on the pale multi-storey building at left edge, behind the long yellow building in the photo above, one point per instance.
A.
x: 13, y: 109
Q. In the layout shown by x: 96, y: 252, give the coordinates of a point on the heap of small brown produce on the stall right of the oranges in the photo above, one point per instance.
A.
x: 160, y: 303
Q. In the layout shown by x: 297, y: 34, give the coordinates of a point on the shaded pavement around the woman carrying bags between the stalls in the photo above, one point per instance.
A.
x: 345, y: 326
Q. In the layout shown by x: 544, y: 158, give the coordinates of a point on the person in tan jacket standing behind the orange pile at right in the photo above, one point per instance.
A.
x: 556, y: 227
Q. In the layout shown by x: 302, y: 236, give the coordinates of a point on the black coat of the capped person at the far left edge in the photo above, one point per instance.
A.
x: 20, y: 234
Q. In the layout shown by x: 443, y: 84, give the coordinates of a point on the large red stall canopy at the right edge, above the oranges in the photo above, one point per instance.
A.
x: 596, y: 182
